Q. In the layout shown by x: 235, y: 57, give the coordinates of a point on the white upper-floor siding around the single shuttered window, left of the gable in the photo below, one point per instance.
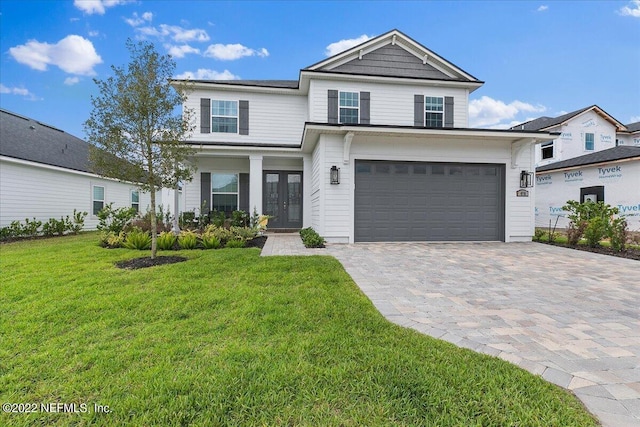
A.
x: 273, y: 118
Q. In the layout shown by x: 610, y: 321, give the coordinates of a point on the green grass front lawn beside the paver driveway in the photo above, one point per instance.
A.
x: 230, y: 338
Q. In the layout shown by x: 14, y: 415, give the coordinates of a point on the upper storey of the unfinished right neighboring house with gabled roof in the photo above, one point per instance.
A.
x: 584, y: 131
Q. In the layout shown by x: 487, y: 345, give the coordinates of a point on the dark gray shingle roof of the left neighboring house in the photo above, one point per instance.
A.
x: 27, y: 139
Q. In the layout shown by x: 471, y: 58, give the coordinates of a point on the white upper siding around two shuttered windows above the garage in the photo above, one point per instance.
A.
x: 391, y: 104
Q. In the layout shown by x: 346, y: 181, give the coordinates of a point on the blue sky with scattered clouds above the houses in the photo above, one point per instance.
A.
x: 538, y: 58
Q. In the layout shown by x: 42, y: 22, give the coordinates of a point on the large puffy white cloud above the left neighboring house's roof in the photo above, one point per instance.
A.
x: 73, y: 54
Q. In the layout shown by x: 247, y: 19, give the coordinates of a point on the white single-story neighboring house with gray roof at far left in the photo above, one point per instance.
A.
x: 45, y: 173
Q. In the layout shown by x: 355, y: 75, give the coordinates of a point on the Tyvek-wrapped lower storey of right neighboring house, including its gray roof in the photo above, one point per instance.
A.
x: 611, y: 176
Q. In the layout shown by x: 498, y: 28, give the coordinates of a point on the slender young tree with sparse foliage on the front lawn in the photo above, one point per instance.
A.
x: 135, y: 133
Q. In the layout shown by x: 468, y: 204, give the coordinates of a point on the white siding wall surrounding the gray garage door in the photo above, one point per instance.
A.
x: 337, y: 209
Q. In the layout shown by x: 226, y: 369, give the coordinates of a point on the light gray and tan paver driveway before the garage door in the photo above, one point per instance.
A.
x: 571, y: 316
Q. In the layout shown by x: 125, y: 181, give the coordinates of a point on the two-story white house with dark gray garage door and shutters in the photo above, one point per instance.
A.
x: 371, y: 144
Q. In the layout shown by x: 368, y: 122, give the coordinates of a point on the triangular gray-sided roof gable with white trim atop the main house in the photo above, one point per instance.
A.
x: 394, y: 55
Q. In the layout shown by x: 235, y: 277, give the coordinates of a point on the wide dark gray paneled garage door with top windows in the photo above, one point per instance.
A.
x: 413, y: 201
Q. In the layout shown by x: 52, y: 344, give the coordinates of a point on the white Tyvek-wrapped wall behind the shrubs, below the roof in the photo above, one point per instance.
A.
x: 621, y: 189
